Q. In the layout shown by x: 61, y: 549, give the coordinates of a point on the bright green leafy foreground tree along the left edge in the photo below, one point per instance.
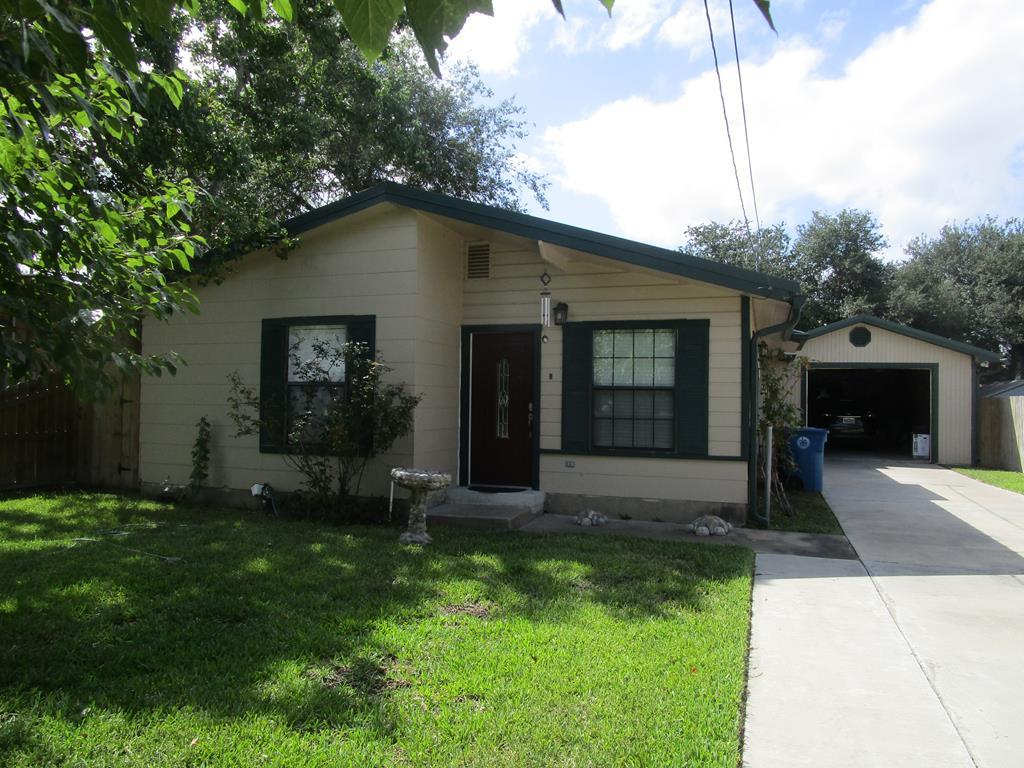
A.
x: 88, y: 248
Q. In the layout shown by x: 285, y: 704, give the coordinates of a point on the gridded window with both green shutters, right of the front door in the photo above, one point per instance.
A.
x: 636, y: 389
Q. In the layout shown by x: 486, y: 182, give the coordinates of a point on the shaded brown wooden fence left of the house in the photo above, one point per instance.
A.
x: 50, y: 439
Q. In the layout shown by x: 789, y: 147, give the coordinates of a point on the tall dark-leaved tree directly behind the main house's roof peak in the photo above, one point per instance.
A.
x: 283, y: 119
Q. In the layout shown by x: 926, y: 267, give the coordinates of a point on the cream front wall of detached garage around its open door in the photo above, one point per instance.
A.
x: 955, y: 378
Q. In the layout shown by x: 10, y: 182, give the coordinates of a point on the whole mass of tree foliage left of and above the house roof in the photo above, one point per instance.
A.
x: 121, y: 172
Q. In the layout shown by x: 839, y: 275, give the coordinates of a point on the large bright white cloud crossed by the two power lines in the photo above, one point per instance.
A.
x: 924, y: 126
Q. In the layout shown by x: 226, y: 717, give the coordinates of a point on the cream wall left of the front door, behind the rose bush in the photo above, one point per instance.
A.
x: 365, y: 265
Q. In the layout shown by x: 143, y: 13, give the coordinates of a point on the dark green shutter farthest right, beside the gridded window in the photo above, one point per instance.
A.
x: 692, y: 382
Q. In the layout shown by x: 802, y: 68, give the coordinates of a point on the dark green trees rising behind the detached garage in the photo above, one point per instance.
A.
x: 966, y: 283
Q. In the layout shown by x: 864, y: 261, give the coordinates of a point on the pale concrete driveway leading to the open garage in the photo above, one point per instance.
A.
x: 912, y: 657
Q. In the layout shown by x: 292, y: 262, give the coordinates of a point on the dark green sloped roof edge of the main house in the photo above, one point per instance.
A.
x: 620, y: 249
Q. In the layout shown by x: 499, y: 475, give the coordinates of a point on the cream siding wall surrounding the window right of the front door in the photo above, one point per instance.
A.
x: 602, y: 290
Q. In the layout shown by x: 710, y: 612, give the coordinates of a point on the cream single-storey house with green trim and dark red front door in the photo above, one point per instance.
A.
x: 638, y: 404
